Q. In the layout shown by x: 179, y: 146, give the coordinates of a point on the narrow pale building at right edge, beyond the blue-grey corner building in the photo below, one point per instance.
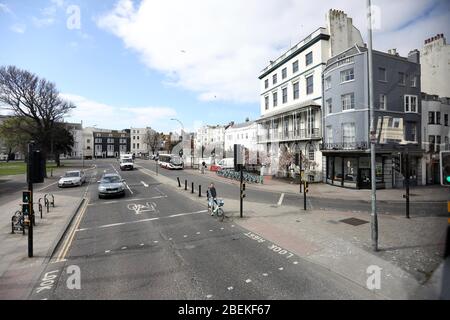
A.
x: 435, y: 133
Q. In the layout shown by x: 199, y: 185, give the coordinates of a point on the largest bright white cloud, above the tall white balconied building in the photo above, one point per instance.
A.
x: 217, y: 48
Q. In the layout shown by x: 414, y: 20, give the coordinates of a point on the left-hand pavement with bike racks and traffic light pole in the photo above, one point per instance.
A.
x: 18, y: 272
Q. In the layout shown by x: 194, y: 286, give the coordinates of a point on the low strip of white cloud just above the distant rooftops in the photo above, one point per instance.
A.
x: 117, y: 117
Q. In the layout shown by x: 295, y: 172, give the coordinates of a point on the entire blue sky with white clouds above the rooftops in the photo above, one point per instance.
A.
x: 140, y: 63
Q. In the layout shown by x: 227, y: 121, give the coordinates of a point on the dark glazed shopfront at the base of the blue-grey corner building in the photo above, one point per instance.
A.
x: 353, y: 171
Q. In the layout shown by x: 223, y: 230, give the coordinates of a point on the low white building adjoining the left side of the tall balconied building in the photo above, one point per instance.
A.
x: 241, y: 133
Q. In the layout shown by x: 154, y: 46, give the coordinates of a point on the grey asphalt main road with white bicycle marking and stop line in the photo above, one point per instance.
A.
x: 158, y: 244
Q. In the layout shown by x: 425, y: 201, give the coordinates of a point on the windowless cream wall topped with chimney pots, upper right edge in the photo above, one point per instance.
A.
x: 435, y: 66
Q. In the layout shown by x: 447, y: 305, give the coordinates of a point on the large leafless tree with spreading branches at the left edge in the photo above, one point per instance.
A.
x: 36, y: 99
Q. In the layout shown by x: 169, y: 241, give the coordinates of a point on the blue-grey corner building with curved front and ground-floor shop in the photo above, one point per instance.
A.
x: 397, y: 103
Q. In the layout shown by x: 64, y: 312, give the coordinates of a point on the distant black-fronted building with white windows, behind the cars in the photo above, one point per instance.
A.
x: 111, y: 143
